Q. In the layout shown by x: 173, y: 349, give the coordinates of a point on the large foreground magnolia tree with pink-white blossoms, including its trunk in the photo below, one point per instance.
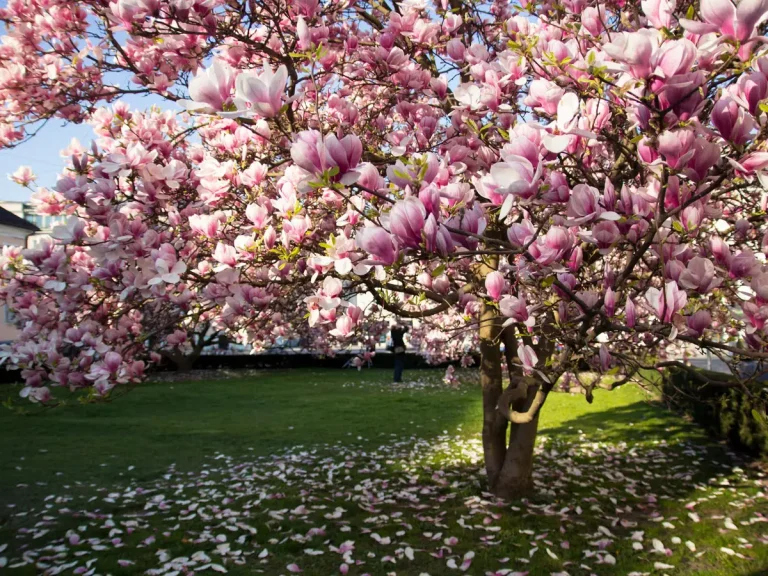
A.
x: 578, y: 181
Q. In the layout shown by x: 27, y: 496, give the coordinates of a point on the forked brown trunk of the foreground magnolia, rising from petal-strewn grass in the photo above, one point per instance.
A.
x: 509, y: 465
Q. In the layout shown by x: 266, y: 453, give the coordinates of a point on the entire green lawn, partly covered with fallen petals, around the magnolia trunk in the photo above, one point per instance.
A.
x: 275, y: 472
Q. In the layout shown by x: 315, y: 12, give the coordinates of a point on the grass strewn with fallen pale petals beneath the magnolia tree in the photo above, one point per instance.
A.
x: 427, y: 495
